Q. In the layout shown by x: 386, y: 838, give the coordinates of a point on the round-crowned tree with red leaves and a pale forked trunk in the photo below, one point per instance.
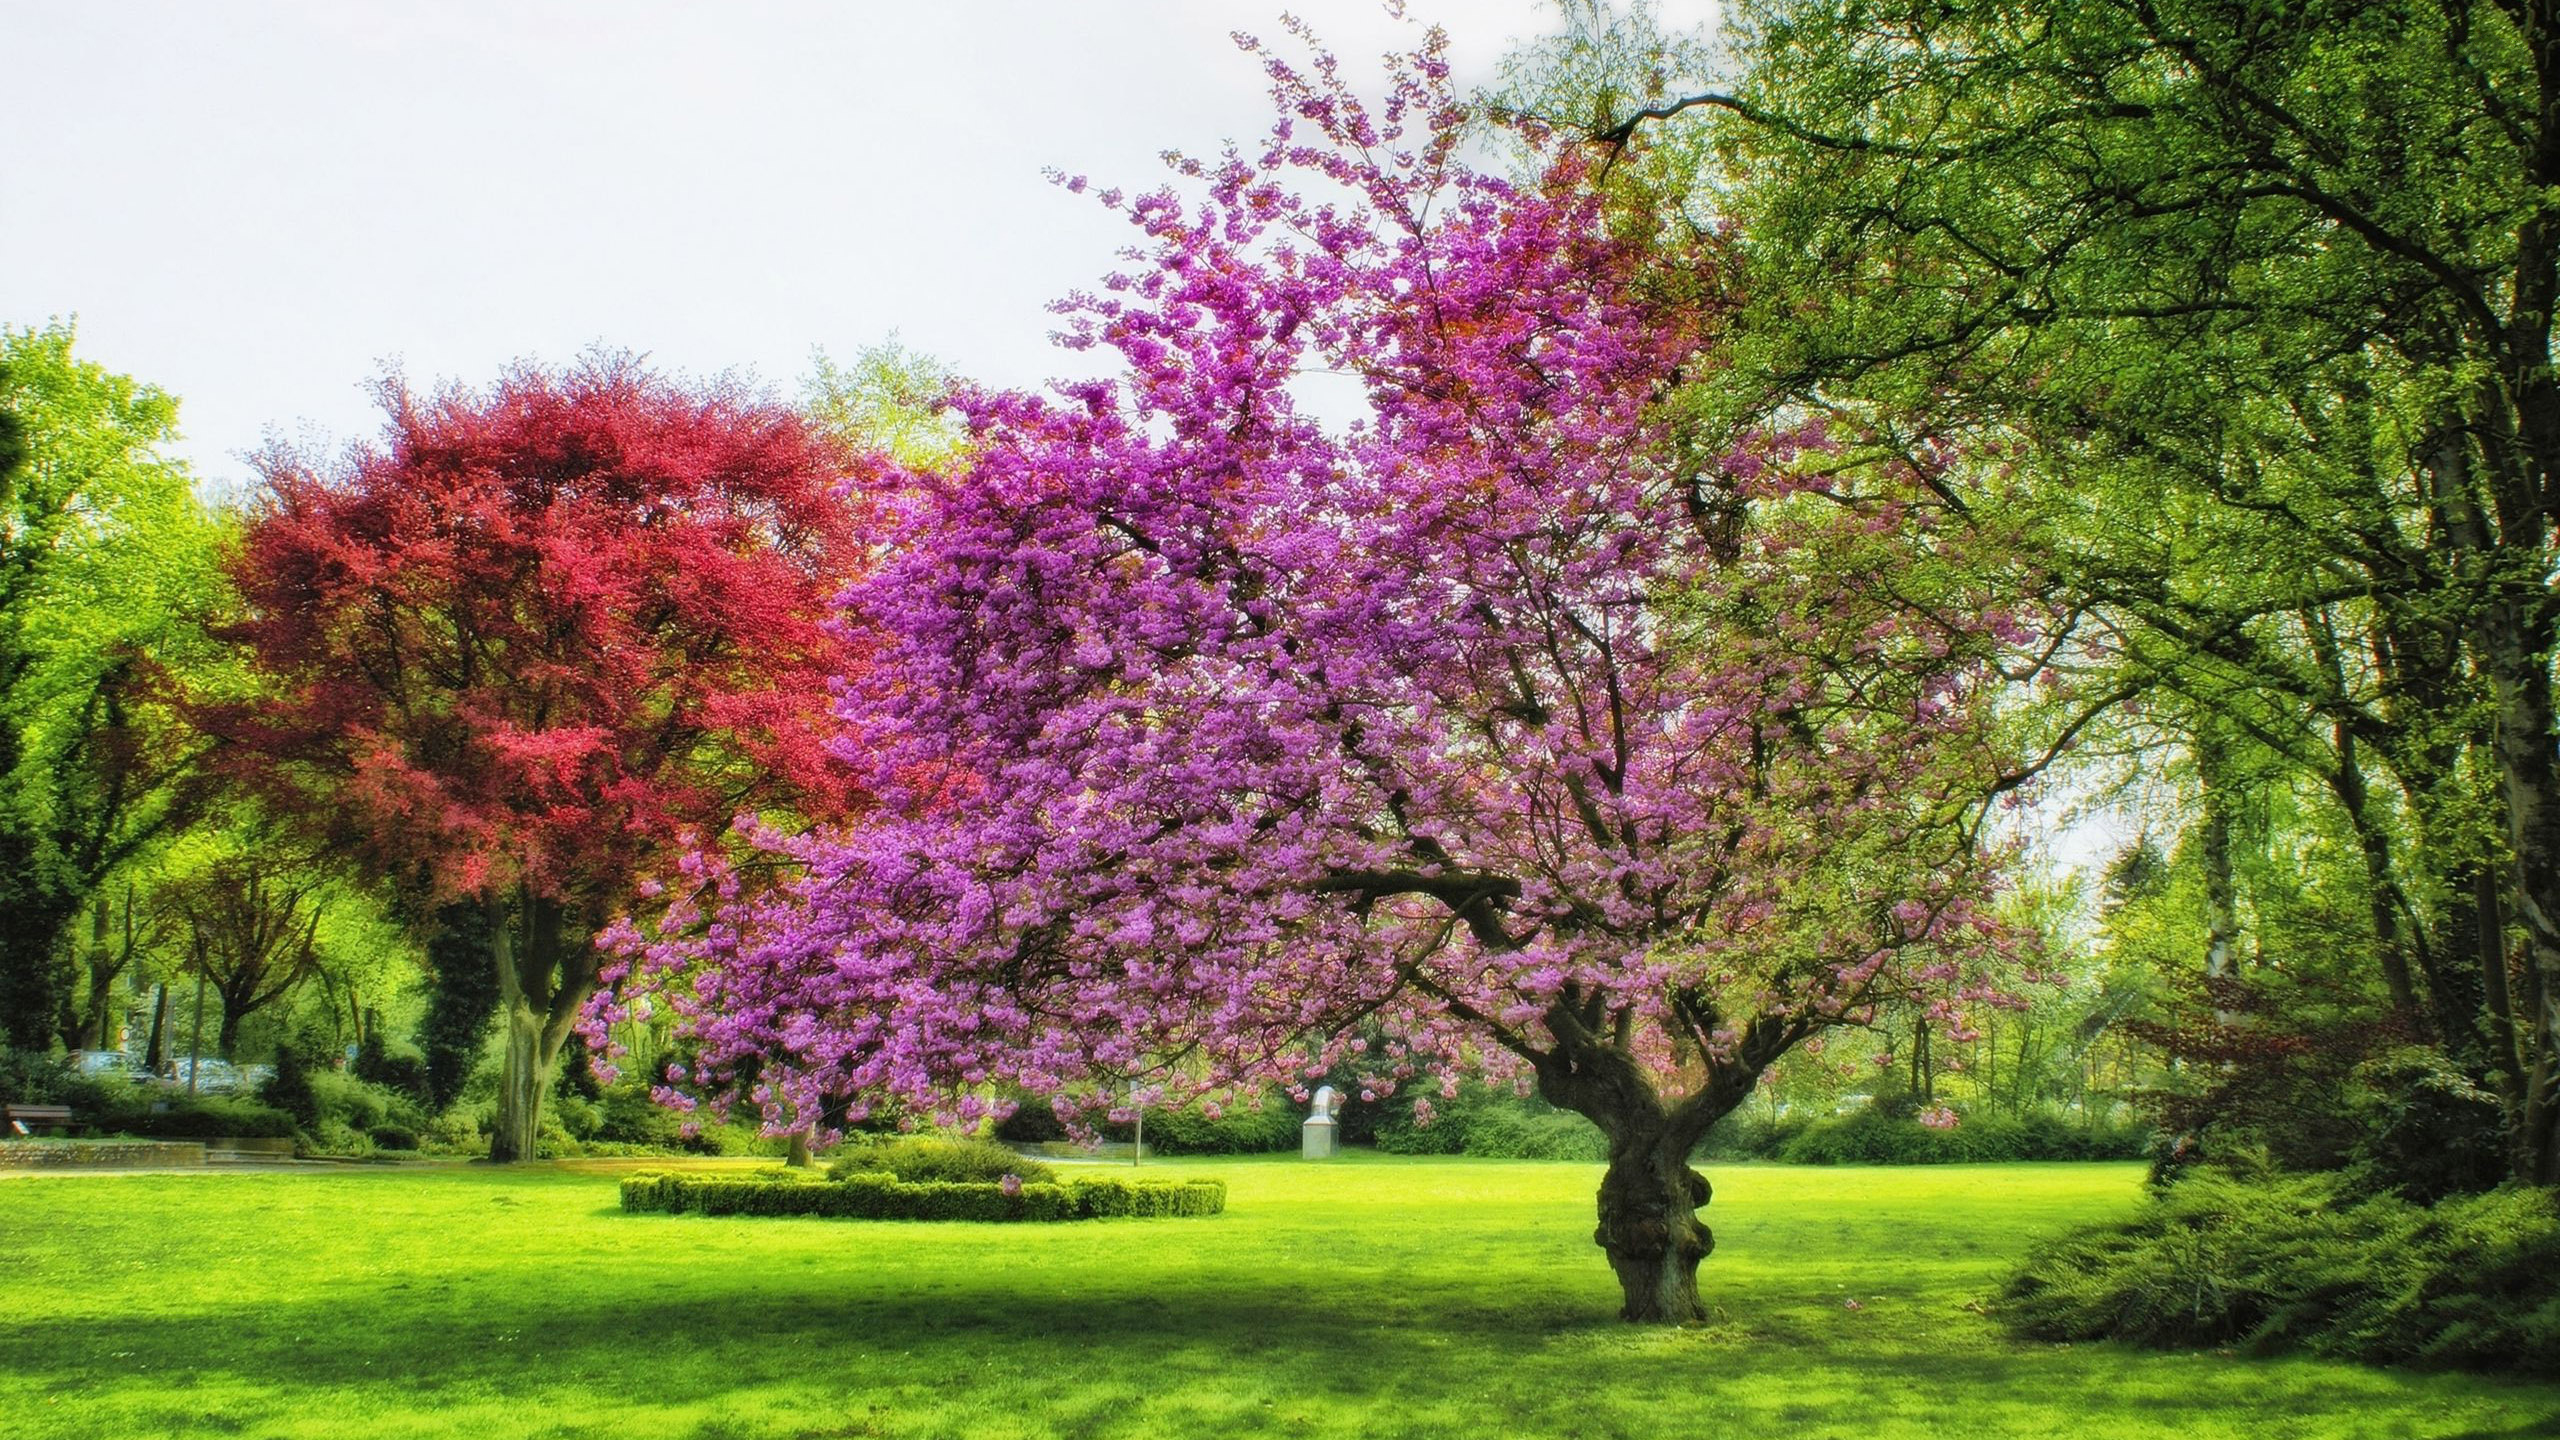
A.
x: 534, y: 639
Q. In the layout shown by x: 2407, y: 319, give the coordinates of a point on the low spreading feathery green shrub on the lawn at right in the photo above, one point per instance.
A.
x: 2290, y: 1262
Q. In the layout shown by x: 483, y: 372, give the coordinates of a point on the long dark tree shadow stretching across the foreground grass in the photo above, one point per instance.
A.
x: 690, y: 1336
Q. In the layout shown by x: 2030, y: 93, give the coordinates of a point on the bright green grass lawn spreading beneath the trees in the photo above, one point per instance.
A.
x: 1366, y: 1298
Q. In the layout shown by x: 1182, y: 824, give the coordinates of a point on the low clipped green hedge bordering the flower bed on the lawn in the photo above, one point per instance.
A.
x: 872, y: 1195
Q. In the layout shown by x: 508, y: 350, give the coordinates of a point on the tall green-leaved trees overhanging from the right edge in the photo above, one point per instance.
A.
x: 2244, y: 316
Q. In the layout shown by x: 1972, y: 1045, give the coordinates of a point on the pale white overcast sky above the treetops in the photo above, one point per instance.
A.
x: 265, y: 204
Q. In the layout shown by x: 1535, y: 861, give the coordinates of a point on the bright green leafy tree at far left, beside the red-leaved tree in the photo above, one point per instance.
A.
x: 106, y: 573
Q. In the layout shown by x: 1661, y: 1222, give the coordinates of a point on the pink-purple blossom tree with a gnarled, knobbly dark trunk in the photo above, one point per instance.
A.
x: 1507, y: 724
